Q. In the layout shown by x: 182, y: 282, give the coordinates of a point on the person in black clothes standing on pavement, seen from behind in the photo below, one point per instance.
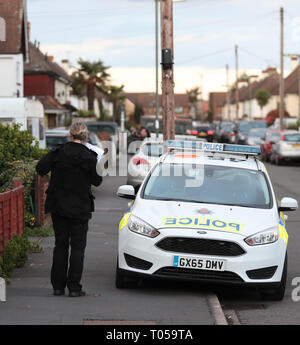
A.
x: 71, y: 203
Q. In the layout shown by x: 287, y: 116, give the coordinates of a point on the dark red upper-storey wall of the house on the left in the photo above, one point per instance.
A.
x: 38, y: 85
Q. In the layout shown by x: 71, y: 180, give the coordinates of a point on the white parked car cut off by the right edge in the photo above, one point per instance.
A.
x: 287, y: 148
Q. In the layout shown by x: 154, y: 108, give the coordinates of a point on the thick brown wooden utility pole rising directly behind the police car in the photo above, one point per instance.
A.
x: 168, y: 102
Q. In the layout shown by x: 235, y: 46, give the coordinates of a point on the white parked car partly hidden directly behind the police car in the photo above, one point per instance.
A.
x: 139, y: 165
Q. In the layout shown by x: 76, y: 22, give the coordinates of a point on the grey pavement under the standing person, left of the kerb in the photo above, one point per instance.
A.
x: 30, y: 300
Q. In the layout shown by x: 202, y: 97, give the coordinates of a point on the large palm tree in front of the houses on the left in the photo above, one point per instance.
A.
x: 89, y: 76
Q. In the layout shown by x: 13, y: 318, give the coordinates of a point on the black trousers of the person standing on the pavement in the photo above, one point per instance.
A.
x: 67, y: 270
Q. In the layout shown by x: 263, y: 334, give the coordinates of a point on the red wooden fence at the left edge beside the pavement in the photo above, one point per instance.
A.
x: 11, y: 214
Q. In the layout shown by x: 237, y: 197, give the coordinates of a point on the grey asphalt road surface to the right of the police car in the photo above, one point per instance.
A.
x: 248, y: 306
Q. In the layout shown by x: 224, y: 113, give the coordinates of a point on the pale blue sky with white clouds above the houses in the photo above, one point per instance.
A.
x: 121, y: 33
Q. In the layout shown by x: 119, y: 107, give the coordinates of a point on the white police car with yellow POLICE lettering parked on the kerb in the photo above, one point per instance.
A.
x: 206, y: 212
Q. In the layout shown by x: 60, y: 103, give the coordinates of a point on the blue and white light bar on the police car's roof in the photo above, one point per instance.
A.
x: 173, y: 145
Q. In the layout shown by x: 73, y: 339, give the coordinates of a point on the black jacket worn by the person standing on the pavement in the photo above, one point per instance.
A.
x: 73, y: 171
